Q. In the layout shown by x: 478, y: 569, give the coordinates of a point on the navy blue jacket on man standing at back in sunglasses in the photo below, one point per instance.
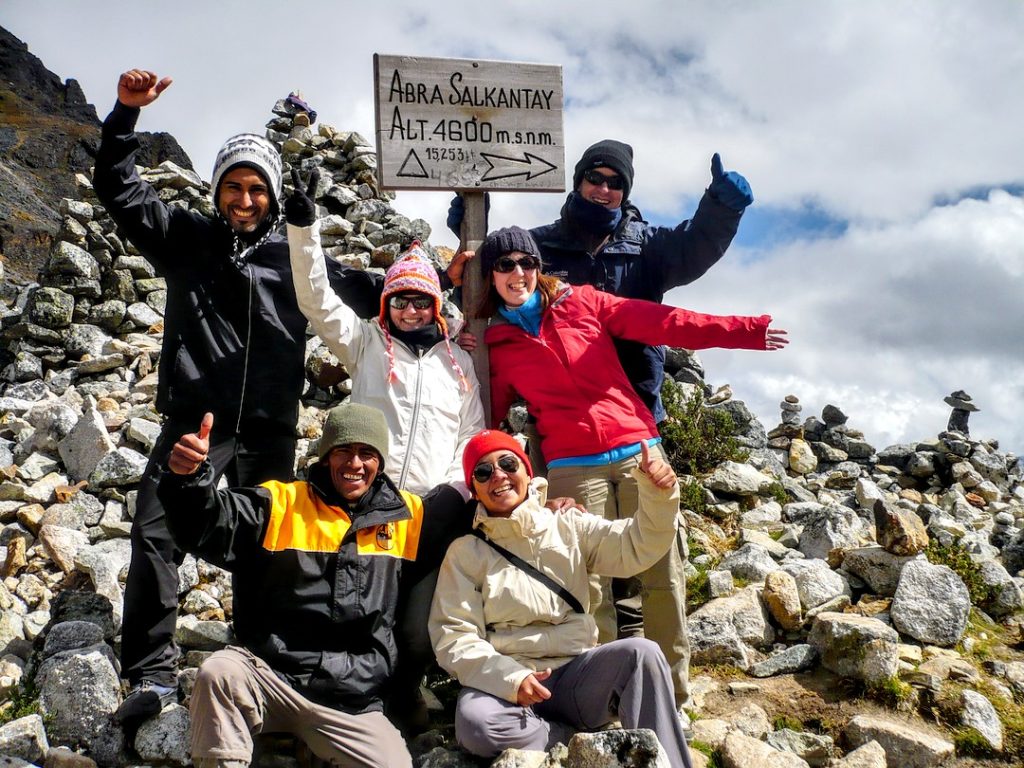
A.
x: 639, y: 262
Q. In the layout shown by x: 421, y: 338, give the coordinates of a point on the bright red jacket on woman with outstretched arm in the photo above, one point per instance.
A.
x: 571, y: 376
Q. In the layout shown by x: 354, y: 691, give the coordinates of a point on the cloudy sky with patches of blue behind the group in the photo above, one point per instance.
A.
x: 883, y: 142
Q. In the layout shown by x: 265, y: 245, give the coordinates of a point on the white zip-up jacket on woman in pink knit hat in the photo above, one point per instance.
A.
x: 431, y: 418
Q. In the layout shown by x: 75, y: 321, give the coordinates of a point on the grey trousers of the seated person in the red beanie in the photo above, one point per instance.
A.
x: 628, y: 680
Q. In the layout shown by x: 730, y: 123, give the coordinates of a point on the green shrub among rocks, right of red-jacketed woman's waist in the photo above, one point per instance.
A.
x: 697, y: 439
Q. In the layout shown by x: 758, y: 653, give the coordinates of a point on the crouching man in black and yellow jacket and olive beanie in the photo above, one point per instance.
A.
x: 316, y: 572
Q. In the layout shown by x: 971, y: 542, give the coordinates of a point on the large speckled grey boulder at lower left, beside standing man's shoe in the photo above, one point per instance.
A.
x: 79, y: 691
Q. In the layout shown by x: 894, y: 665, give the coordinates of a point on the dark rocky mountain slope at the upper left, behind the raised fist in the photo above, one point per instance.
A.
x: 49, y: 133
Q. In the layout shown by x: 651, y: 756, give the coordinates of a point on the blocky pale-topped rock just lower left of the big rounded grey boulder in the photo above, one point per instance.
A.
x: 856, y: 647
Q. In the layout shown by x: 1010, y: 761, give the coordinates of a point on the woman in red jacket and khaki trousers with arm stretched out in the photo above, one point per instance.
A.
x: 553, y: 346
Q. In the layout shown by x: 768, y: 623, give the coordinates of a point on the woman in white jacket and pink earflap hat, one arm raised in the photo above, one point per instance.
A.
x: 402, y: 363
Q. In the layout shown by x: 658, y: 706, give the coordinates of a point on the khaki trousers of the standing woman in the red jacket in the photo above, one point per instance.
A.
x: 652, y: 605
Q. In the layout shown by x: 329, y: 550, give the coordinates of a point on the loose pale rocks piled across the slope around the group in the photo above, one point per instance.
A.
x: 834, y: 578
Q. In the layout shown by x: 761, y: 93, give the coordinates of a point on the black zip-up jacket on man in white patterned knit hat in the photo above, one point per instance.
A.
x: 234, y: 336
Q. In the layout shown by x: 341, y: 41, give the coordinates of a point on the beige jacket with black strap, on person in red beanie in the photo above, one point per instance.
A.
x: 492, y: 625
